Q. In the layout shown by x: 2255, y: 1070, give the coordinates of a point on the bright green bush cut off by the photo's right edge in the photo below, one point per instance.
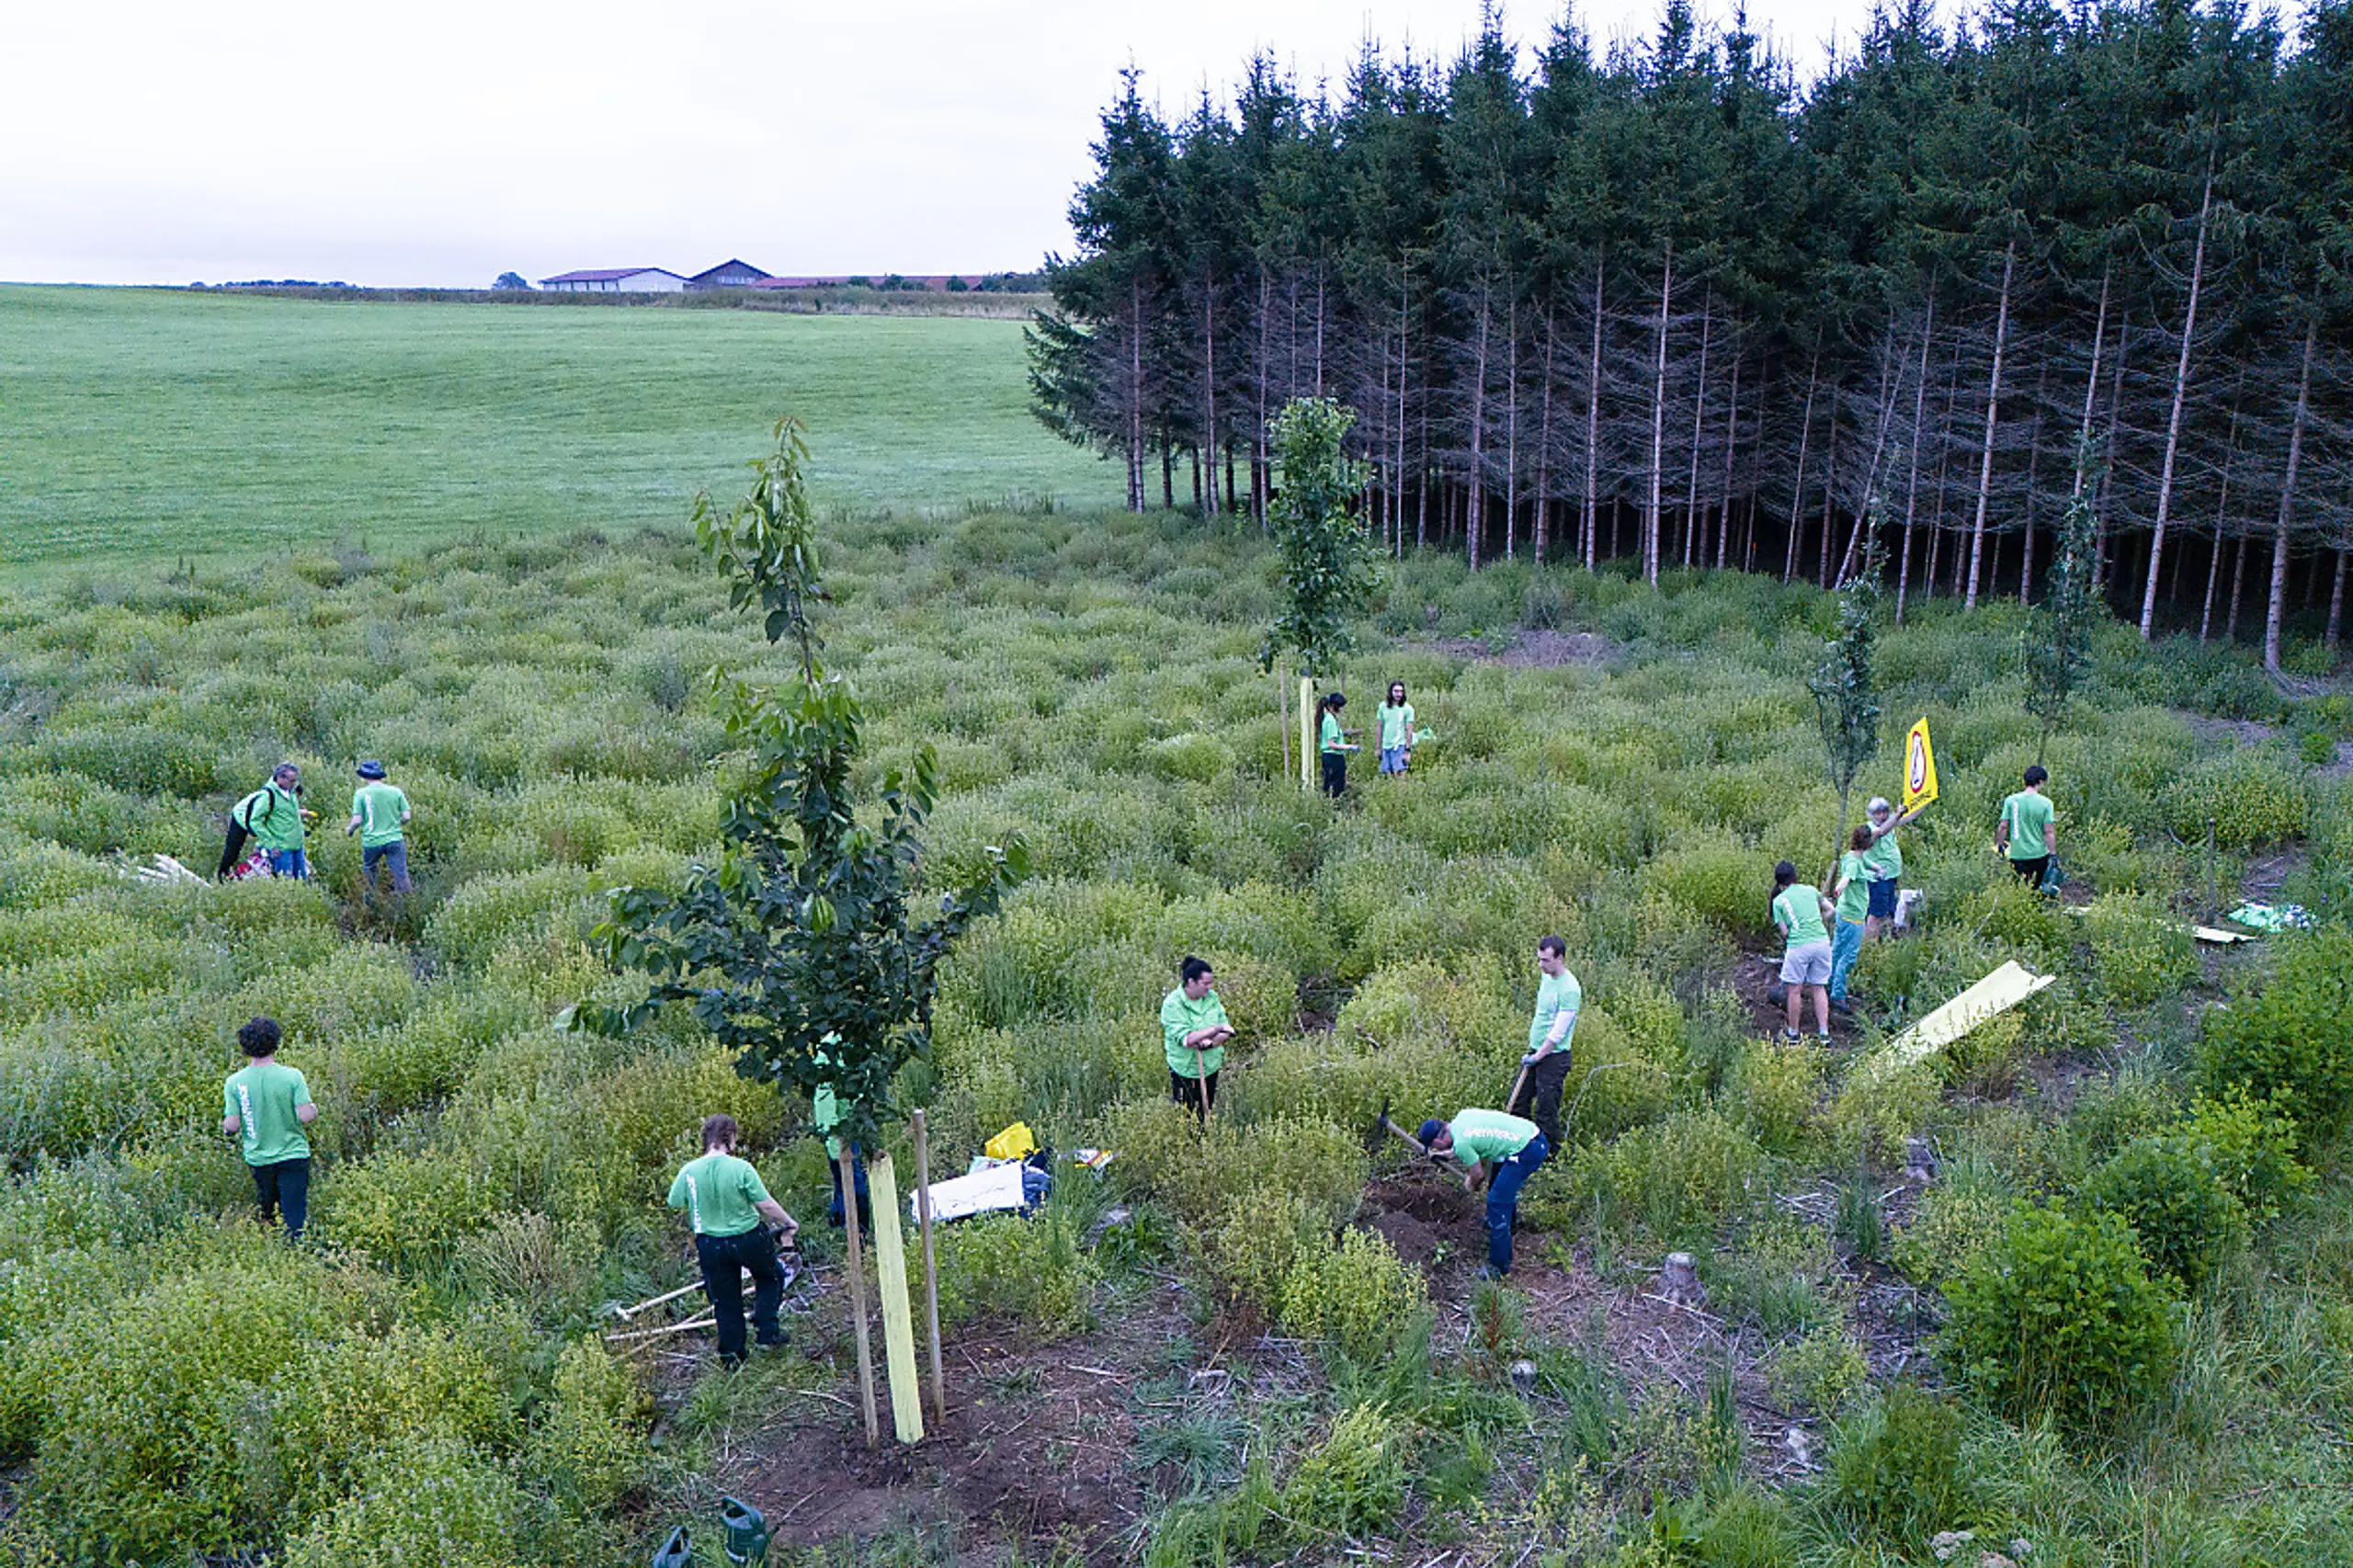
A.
x: 2293, y: 1039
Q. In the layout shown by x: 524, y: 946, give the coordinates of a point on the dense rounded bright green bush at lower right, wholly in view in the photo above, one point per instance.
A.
x: 2060, y: 1317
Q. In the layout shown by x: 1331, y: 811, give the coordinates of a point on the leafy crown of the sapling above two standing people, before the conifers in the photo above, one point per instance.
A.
x: 1328, y: 564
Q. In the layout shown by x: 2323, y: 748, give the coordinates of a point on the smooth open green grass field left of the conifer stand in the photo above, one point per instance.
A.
x: 142, y: 427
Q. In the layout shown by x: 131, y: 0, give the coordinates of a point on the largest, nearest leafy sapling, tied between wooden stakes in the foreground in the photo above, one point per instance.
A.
x: 801, y: 950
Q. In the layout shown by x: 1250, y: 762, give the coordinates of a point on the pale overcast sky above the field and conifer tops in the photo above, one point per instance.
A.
x: 441, y: 145
